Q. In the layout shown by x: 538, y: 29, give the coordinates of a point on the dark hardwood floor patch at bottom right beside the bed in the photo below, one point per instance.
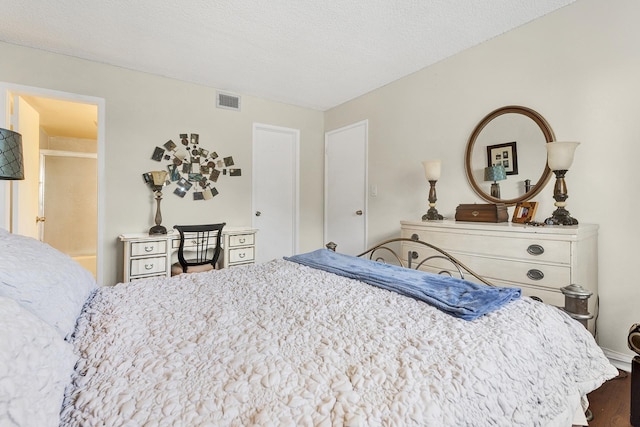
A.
x: 611, y: 403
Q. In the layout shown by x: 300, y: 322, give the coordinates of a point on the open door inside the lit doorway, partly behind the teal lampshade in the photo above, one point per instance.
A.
x: 25, y: 196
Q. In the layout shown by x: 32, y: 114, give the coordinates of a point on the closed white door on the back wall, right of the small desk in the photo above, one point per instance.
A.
x: 275, y: 191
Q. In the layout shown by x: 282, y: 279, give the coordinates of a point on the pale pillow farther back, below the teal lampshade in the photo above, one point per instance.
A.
x: 43, y: 280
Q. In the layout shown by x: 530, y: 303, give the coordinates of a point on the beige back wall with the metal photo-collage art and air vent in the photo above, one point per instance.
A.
x: 143, y: 111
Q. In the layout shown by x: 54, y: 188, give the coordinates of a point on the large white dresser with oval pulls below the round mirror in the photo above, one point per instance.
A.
x: 539, y: 260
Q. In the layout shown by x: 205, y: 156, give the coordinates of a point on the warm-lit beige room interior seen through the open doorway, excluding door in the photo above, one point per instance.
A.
x: 67, y: 216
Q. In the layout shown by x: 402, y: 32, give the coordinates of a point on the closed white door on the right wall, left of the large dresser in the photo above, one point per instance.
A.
x: 345, y: 206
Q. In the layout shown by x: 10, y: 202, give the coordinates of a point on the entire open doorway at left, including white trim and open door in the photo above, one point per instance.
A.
x: 62, y: 142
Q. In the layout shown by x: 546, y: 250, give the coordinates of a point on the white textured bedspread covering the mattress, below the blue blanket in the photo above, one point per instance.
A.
x: 283, y: 344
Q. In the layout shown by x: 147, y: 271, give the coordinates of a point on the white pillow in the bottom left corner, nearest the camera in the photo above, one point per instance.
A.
x: 35, y: 367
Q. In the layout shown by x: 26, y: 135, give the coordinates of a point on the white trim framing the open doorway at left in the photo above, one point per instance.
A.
x: 9, y: 89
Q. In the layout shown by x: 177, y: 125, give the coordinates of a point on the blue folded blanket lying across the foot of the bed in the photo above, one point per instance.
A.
x: 459, y: 298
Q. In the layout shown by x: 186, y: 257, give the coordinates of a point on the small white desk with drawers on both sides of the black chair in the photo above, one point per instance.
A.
x: 151, y: 256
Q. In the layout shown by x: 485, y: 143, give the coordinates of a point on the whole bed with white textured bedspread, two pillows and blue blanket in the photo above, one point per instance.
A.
x: 279, y: 343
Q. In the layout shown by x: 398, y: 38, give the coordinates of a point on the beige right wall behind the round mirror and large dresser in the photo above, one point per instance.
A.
x: 579, y: 67
